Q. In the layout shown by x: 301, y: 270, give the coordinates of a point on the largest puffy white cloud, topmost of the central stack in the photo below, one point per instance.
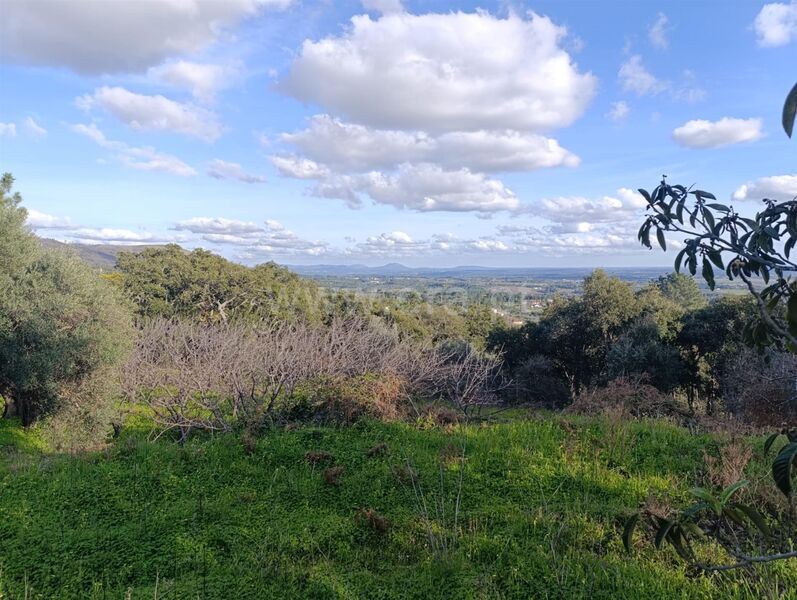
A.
x: 472, y: 71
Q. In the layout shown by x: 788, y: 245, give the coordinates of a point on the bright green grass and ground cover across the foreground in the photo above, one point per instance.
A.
x: 539, y: 516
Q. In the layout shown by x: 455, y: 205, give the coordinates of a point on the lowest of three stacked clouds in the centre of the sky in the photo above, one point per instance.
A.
x: 423, y: 187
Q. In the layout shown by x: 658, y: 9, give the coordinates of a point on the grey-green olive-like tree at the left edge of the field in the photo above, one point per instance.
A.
x: 62, y: 329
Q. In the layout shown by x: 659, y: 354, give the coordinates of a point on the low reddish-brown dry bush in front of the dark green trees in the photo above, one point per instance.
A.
x: 634, y: 396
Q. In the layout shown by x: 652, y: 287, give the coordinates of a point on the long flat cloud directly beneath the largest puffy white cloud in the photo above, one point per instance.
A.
x: 349, y: 147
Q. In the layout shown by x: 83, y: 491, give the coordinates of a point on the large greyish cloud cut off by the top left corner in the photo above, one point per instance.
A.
x: 116, y: 36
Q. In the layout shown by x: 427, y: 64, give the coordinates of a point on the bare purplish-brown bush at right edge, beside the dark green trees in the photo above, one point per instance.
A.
x: 762, y: 389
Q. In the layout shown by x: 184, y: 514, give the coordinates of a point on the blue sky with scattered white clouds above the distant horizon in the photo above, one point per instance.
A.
x: 425, y: 132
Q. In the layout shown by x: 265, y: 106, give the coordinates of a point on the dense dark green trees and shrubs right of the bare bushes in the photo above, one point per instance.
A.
x: 666, y: 335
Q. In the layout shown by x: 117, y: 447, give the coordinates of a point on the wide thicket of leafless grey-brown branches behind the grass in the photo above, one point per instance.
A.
x: 200, y: 376
